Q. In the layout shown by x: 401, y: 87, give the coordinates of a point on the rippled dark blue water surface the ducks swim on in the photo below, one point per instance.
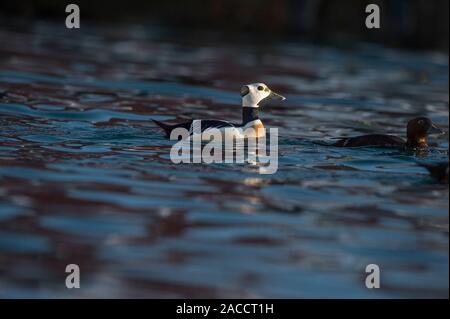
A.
x: 85, y: 176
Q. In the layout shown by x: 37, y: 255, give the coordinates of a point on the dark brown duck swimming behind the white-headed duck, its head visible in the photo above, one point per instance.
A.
x: 417, y: 131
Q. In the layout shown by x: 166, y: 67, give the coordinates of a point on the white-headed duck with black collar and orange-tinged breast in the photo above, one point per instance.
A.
x: 252, y: 96
